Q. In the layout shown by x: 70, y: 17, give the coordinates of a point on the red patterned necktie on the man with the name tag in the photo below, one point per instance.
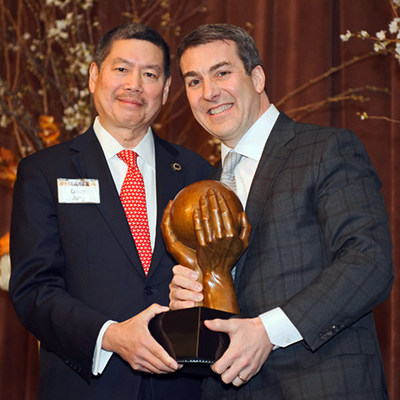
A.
x: 133, y: 199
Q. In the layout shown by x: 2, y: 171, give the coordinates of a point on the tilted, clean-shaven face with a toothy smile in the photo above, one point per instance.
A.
x: 224, y: 99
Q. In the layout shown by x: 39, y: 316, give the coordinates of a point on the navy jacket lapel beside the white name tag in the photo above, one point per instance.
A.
x: 89, y: 159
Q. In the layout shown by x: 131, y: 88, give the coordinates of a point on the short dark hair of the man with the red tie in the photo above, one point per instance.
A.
x: 132, y: 31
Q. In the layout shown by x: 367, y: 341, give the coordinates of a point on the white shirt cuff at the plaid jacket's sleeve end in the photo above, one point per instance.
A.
x: 280, y: 329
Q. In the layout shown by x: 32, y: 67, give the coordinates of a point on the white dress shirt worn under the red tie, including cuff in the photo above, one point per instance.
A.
x: 146, y: 162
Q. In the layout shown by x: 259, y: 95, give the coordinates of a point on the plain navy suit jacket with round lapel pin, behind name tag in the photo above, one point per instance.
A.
x: 75, y: 266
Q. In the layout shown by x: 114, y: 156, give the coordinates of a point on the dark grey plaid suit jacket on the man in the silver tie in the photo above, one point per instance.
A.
x: 320, y: 249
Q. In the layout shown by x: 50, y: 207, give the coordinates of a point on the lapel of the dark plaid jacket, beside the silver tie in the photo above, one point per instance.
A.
x: 276, y: 151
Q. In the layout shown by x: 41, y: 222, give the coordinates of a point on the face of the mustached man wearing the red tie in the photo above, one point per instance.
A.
x: 129, y: 89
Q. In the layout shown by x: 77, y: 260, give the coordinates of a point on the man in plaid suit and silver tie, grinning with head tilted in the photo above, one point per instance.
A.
x: 319, y: 257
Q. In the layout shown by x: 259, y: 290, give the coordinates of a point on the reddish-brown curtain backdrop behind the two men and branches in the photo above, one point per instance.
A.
x: 298, y: 41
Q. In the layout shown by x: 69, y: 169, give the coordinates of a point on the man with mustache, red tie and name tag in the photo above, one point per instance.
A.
x: 77, y: 281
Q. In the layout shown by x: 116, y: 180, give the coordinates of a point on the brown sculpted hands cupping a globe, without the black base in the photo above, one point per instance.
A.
x: 206, y: 229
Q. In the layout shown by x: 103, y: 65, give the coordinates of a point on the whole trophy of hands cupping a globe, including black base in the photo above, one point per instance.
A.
x: 205, y: 229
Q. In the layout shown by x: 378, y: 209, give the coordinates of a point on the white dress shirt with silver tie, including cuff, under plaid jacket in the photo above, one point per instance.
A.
x: 280, y: 329
